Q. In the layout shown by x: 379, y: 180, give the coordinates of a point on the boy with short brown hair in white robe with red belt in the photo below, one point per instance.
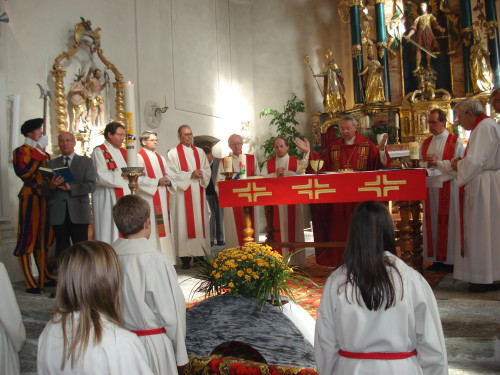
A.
x: 153, y: 303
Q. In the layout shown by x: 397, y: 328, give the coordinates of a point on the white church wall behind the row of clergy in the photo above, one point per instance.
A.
x: 218, y: 62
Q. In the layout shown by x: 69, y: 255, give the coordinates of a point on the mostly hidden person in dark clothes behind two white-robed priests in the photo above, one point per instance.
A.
x: 216, y: 213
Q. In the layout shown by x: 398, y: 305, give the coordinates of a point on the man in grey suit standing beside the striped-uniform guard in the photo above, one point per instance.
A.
x: 69, y: 203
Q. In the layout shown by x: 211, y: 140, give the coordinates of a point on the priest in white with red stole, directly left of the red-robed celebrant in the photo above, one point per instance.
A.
x: 289, y: 218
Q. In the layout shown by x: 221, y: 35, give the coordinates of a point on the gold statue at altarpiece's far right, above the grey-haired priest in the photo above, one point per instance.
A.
x: 481, y: 74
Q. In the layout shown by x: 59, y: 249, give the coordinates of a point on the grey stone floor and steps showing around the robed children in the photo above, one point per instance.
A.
x: 471, y: 324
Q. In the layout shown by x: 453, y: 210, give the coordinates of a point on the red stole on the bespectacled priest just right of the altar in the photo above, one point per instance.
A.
x: 444, y: 204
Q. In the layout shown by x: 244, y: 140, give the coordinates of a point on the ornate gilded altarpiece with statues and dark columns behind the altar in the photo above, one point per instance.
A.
x: 409, y: 57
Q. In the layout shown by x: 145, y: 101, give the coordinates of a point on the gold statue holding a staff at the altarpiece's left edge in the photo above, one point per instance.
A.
x: 333, y: 86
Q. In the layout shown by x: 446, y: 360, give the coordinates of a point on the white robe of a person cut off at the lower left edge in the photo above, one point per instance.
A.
x: 12, y: 332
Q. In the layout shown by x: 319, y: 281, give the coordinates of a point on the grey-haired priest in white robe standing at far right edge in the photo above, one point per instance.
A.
x: 479, y: 175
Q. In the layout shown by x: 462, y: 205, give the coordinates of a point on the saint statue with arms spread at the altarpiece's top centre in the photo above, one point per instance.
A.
x: 422, y: 27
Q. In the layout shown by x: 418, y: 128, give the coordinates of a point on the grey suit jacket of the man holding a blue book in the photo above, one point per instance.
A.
x: 77, y: 199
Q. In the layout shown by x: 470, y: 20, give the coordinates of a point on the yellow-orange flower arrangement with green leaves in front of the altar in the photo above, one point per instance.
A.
x: 252, y: 270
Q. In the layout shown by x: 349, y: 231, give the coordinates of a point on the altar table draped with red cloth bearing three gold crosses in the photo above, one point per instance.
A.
x: 407, y: 186
